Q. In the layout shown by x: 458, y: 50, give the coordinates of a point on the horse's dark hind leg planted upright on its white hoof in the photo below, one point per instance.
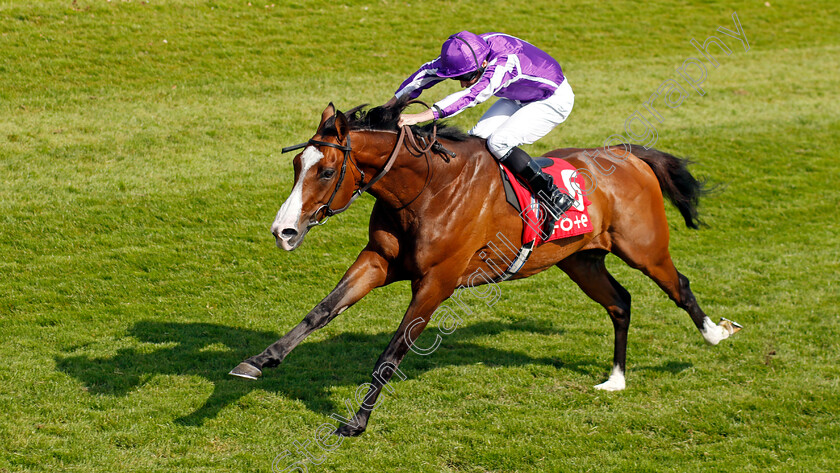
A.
x: 587, y: 269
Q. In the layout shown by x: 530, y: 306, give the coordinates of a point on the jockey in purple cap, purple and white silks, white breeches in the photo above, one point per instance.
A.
x: 534, y: 98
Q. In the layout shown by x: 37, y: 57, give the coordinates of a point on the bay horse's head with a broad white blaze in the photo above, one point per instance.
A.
x: 323, y: 181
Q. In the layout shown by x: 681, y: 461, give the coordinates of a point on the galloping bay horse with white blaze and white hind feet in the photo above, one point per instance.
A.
x: 435, y: 214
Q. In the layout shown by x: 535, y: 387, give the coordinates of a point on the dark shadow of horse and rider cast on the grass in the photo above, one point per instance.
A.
x: 308, y: 374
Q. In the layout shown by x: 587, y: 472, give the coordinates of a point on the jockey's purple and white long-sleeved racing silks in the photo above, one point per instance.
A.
x: 516, y: 70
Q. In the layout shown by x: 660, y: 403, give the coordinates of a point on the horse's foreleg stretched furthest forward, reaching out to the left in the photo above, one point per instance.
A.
x: 370, y: 271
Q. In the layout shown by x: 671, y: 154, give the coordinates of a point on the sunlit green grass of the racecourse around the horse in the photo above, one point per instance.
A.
x: 138, y: 179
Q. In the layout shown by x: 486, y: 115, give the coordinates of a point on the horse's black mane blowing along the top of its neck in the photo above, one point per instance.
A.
x: 385, y: 119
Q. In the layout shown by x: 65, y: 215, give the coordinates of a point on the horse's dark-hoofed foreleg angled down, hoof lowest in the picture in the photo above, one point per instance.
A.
x: 427, y: 297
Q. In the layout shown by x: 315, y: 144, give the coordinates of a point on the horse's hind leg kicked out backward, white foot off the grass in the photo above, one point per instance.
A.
x: 656, y: 263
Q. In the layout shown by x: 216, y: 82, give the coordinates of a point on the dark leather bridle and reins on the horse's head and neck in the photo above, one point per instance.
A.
x: 328, y: 211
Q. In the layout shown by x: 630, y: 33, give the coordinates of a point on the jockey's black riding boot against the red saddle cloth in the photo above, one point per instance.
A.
x: 554, y: 200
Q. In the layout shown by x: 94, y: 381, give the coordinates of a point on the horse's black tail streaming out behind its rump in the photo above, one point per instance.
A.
x: 675, y: 181
